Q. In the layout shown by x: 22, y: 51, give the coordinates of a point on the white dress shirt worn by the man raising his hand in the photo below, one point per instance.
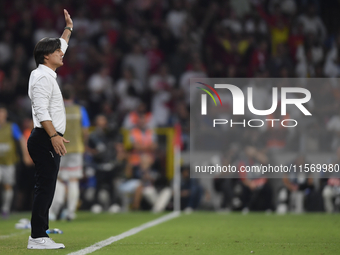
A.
x: 46, y: 98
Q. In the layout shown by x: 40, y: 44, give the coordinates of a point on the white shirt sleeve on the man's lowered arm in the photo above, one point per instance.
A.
x: 40, y: 96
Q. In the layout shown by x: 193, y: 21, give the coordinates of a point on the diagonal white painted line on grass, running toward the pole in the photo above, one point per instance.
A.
x: 130, y: 232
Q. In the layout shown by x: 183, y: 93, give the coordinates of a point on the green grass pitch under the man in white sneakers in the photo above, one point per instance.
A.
x: 197, y: 233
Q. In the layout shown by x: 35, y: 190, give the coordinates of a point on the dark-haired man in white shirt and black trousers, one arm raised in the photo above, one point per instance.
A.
x: 46, y: 142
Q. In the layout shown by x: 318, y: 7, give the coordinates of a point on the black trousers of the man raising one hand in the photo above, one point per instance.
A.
x: 47, y: 163
